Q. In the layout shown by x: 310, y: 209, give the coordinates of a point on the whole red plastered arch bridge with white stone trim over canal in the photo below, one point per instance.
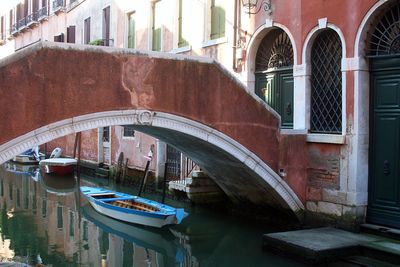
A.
x: 49, y: 90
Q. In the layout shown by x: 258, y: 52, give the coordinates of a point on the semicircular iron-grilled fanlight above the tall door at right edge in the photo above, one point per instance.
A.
x: 384, y: 38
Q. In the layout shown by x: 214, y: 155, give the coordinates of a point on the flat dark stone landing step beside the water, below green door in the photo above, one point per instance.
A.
x: 330, y: 244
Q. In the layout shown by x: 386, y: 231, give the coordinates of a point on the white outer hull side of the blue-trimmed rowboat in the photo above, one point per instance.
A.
x: 133, y: 218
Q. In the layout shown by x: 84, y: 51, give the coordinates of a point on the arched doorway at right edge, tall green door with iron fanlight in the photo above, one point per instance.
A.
x: 383, y: 49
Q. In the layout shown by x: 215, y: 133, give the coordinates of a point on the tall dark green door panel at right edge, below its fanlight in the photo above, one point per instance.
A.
x: 384, y: 180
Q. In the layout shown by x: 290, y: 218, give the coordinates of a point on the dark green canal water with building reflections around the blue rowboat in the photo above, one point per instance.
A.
x: 44, y: 219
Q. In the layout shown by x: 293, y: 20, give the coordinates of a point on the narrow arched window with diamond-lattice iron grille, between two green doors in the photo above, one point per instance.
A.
x: 326, y: 84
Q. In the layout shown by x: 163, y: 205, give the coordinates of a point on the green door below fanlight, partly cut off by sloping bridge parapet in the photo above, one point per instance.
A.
x: 276, y: 89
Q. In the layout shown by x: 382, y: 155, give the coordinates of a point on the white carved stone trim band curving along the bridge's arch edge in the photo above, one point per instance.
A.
x: 156, y: 119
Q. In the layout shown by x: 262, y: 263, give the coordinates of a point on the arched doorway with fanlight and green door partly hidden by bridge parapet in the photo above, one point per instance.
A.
x: 274, y: 74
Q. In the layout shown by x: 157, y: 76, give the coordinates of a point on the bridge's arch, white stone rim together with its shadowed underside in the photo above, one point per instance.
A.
x: 206, y: 146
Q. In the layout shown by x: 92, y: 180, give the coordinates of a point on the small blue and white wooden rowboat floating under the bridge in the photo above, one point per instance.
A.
x: 132, y: 209
